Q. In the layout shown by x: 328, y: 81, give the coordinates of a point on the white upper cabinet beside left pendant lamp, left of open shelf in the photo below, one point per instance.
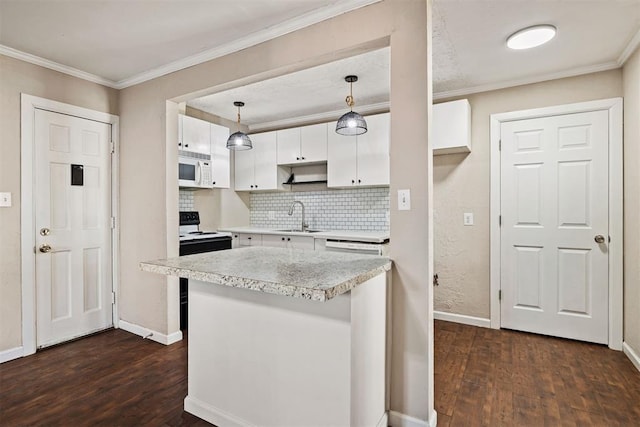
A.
x: 257, y: 169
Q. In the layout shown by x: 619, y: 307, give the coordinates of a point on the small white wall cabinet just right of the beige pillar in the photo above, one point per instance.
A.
x: 451, y: 127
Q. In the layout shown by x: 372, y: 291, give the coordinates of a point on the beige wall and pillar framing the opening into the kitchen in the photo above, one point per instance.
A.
x: 145, y: 223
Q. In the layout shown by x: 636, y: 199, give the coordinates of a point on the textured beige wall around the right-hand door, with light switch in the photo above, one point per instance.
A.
x: 462, y: 181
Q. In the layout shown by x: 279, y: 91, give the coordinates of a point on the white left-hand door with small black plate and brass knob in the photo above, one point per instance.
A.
x: 73, y: 231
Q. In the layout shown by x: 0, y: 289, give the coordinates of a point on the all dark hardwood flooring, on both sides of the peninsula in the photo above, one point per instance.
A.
x: 482, y: 377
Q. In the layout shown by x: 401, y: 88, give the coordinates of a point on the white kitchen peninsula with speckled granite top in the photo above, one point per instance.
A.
x: 285, y: 337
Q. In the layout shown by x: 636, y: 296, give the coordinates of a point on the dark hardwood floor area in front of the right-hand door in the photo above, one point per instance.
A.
x: 487, y: 377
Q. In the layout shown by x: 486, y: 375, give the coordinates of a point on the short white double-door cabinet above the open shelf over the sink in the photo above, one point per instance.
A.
x: 302, y: 145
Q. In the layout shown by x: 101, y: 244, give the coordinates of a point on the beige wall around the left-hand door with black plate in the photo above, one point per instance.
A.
x: 18, y: 77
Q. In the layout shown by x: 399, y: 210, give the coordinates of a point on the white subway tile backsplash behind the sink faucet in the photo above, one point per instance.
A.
x: 349, y: 209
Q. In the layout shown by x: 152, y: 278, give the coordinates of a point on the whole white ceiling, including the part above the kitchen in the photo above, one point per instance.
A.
x: 97, y: 41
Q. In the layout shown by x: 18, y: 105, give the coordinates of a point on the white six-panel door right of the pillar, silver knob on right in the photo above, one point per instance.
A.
x: 554, y: 234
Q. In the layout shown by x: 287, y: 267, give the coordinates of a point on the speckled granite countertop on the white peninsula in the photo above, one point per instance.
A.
x: 317, y: 276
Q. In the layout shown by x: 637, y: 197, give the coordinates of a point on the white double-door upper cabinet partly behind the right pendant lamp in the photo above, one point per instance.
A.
x: 361, y: 160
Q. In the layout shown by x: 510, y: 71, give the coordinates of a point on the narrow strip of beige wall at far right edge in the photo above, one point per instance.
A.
x: 631, y: 83
